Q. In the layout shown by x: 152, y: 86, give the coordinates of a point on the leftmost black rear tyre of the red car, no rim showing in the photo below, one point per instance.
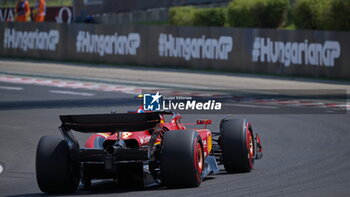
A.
x: 54, y: 168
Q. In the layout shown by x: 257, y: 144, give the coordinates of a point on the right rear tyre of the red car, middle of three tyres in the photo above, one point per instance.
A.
x: 182, y: 159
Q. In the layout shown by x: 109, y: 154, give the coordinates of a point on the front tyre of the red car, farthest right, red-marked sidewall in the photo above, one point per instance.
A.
x: 237, y: 145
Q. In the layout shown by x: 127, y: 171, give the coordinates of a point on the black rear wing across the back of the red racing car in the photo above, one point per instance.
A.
x: 94, y: 123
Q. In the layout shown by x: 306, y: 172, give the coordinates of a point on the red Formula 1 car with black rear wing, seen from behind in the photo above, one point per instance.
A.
x: 142, y: 148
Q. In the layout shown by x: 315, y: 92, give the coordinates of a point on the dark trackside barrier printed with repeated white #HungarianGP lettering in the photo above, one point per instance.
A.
x: 303, y: 53
